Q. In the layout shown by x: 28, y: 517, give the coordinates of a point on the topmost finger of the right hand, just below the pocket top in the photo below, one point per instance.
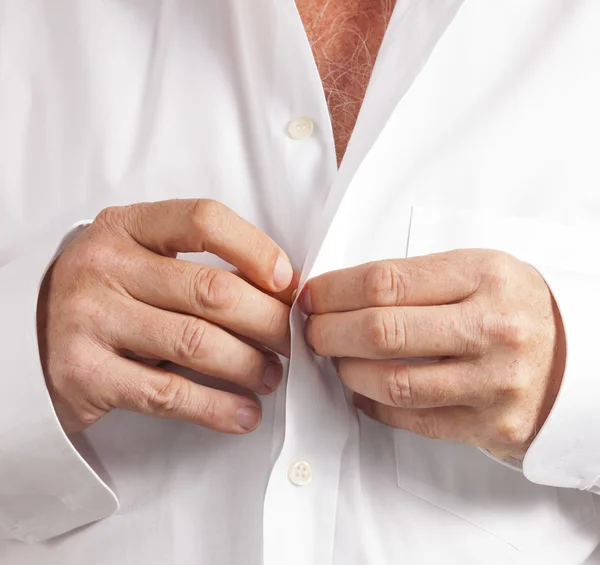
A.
x: 418, y: 281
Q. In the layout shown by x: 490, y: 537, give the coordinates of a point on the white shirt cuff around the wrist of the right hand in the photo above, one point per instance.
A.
x: 566, y: 452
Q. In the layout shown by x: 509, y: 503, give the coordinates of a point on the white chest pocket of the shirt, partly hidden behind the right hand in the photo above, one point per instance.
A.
x: 460, y: 479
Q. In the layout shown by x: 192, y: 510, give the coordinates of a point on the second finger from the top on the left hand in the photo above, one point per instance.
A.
x: 210, y: 293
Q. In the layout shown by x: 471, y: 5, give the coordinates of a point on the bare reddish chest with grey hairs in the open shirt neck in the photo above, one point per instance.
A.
x: 345, y: 36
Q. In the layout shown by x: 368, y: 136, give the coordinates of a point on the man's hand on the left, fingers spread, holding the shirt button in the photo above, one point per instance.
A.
x: 118, y: 290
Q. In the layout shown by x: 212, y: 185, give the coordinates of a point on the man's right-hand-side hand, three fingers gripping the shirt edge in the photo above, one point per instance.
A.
x: 485, y: 330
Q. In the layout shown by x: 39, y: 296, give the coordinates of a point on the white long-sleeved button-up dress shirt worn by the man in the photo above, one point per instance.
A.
x: 480, y: 128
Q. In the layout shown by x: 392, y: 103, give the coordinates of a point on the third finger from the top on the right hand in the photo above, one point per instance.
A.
x: 416, y: 385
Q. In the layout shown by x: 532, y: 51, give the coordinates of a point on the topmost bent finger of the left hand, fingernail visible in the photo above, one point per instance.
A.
x: 206, y: 225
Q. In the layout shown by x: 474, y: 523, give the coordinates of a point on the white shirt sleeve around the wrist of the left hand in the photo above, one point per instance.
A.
x: 46, y: 487
